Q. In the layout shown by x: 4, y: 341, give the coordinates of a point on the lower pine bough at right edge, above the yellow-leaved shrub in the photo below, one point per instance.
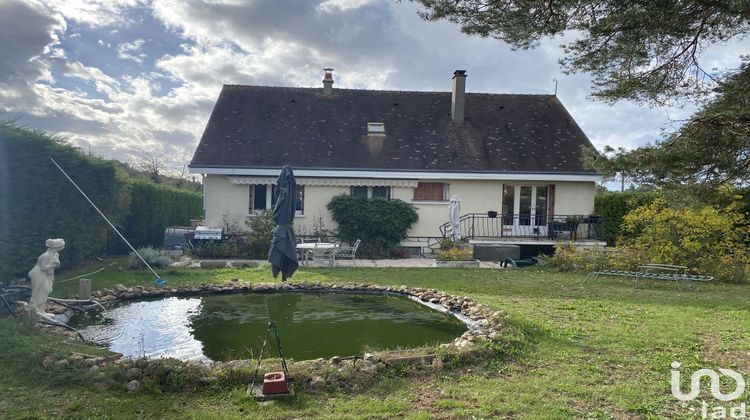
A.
x: 710, y: 150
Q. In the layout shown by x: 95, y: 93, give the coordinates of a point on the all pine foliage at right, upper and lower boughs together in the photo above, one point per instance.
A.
x: 643, y: 50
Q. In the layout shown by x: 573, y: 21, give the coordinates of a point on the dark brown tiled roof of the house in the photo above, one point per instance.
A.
x: 267, y: 127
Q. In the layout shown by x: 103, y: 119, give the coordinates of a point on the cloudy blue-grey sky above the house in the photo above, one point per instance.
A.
x: 123, y: 78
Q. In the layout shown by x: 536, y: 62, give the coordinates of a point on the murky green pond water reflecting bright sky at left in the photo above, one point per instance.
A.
x: 227, y: 327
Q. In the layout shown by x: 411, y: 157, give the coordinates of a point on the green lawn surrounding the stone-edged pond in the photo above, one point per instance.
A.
x: 576, y: 348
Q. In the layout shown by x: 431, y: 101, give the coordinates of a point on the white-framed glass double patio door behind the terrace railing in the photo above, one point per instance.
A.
x: 525, y: 210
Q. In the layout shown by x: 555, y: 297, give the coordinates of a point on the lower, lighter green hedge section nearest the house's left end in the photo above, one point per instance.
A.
x: 154, y: 207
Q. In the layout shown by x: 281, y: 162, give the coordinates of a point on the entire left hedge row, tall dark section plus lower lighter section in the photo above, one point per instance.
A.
x: 37, y: 203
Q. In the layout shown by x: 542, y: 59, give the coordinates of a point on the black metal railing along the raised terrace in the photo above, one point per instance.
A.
x: 572, y: 227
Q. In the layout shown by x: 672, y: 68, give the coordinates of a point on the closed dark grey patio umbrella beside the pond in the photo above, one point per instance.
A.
x: 282, y: 255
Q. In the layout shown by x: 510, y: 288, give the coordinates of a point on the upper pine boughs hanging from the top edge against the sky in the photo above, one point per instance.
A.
x: 645, y: 50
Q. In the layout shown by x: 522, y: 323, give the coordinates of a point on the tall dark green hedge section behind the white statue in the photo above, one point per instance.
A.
x: 37, y: 202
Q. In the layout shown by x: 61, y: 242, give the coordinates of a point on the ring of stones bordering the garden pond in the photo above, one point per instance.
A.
x: 485, y: 325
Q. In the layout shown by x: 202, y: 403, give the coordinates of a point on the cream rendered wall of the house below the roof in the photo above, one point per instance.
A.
x: 227, y: 203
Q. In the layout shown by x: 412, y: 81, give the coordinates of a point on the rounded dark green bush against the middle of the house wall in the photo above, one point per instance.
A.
x: 380, y: 223
